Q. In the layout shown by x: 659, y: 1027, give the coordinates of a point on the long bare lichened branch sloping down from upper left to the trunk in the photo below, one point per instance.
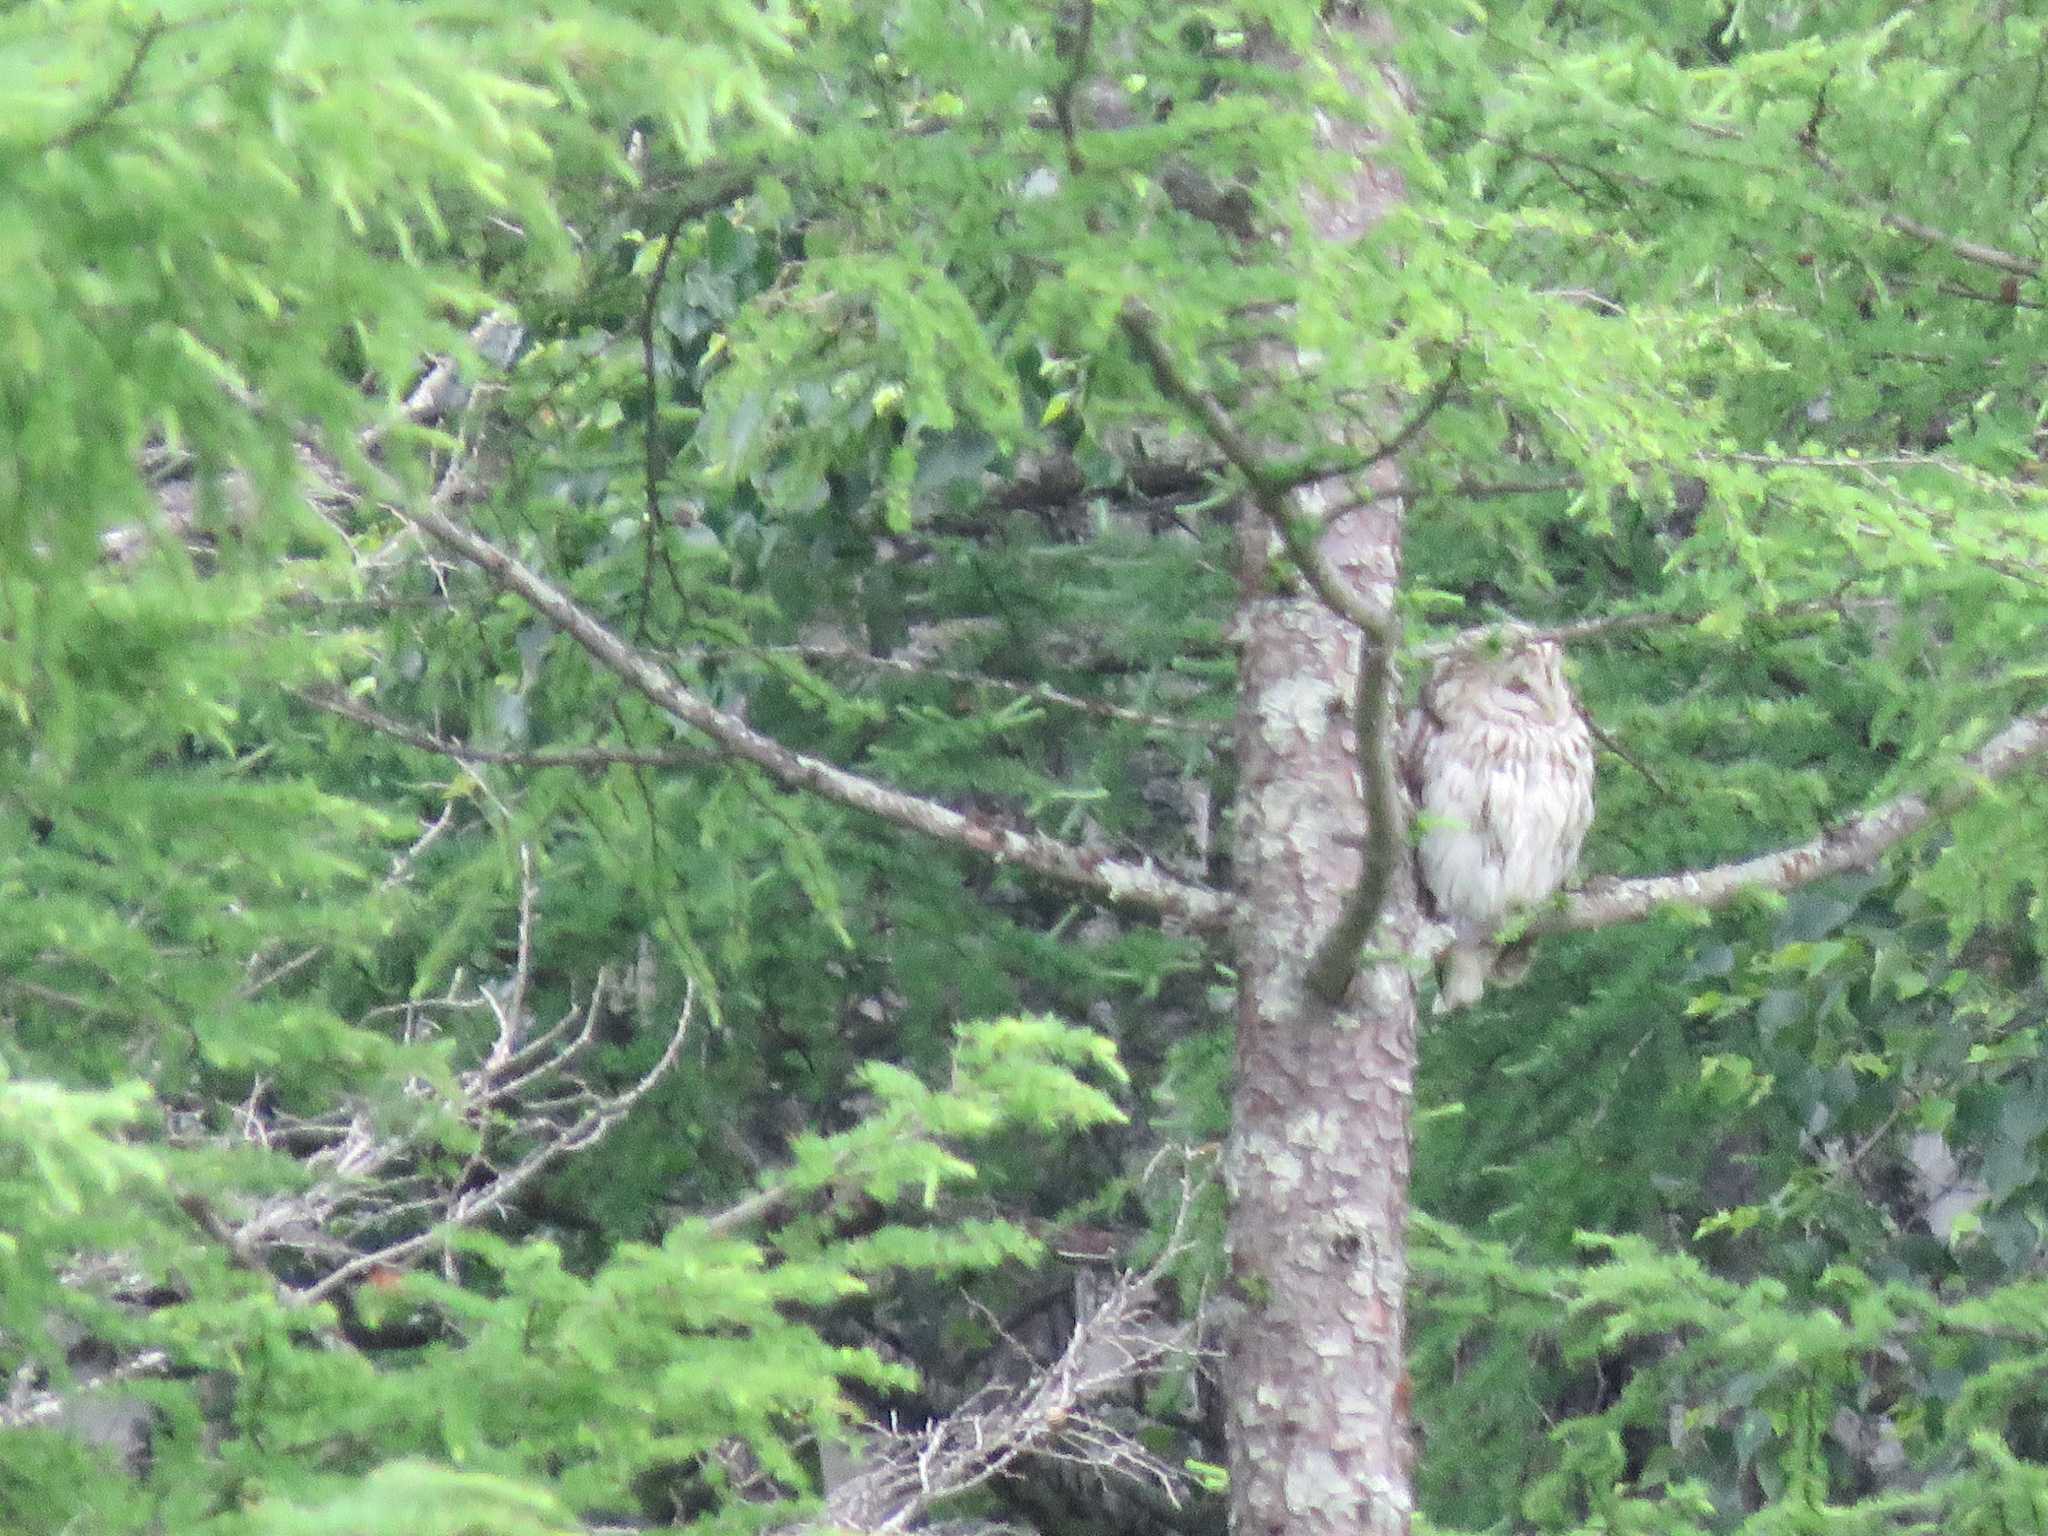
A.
x: 1121, y: 882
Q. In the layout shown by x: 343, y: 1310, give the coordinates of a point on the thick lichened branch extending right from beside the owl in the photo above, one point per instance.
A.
x: 1846, y: 847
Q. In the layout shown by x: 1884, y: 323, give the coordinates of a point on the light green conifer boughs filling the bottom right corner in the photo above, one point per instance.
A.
x: 1785, y: 1394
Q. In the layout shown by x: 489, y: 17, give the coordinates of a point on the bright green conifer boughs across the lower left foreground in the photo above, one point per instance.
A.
x: 529, y: 1375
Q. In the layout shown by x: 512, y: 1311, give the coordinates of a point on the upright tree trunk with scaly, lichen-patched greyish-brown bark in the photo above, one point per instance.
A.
x: 1320, y: 1144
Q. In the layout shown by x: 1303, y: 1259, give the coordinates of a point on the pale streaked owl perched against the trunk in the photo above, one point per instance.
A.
x: 1500, y: 767
